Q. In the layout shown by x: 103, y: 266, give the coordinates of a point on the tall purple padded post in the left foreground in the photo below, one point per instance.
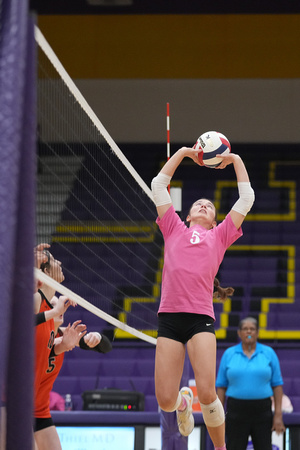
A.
x: 17, y: 206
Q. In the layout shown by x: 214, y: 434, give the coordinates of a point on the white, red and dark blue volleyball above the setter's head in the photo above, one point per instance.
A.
x: 210, y: 144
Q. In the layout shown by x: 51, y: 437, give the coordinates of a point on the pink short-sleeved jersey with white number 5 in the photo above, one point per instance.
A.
x: 192, y: 257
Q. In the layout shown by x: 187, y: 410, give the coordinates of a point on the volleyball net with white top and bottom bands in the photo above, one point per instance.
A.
x: 94, y: 210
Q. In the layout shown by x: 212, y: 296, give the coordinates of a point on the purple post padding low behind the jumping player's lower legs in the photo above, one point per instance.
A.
x: 170, y: 435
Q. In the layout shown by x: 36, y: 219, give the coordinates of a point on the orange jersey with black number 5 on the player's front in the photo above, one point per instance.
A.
x: 42, y: 398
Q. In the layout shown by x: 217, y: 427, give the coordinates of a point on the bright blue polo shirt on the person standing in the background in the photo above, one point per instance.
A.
x: 249, y: 378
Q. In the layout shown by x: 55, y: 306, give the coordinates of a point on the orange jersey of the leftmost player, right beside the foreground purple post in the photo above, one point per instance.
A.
x: 44, y: 339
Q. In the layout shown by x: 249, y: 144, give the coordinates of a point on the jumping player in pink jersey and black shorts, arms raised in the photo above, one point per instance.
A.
x: 192, y: 257
